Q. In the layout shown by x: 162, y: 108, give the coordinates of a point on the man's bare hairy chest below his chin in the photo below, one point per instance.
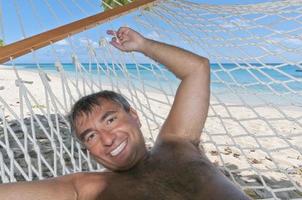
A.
x: 166, y: 177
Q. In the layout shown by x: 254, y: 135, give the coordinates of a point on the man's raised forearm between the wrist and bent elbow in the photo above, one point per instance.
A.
x: 181, y: 62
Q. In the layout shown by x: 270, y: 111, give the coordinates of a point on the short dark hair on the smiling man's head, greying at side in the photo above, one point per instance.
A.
x: 86, y: 104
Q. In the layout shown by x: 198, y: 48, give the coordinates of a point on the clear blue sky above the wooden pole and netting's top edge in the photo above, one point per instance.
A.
x: 35, y: 12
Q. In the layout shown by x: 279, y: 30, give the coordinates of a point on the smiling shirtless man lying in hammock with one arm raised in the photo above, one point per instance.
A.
x: 109, y: 128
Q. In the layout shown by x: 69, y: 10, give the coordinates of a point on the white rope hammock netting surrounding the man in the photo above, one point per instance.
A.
x: 254, y: 127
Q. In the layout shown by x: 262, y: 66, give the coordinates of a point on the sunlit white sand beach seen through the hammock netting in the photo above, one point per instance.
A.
x: 242, y: 142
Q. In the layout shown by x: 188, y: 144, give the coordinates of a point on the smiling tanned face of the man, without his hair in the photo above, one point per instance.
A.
x: 112, y: 135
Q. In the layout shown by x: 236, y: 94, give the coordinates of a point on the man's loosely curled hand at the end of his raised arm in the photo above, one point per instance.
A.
x: 126, y: 39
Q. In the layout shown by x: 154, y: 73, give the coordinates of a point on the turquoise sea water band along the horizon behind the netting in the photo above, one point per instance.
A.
x: 254, y: 77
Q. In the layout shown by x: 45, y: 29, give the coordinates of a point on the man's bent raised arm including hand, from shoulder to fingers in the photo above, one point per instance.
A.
x: 189, y: 110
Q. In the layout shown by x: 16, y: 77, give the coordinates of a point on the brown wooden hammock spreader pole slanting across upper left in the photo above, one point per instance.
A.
x: 25, y: 46
